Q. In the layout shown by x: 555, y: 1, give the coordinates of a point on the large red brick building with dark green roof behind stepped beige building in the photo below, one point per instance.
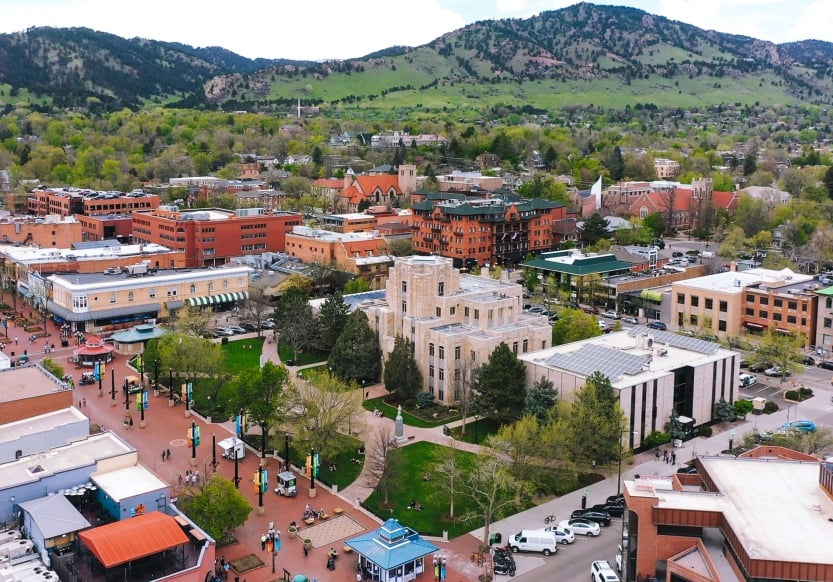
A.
x: 496, y: 230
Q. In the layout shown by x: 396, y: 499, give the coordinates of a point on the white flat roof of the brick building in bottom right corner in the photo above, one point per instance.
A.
x: 776, y: 508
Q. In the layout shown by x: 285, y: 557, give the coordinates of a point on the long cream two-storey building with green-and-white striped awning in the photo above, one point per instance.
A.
x: 98, y: 302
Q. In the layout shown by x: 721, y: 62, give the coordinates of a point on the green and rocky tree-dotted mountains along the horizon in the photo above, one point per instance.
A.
x: 615, y: 55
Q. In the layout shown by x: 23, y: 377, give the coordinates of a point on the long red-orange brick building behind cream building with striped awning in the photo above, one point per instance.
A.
x: 211, y: 236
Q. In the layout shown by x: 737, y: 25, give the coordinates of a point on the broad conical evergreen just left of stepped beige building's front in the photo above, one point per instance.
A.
x: 356, y: 354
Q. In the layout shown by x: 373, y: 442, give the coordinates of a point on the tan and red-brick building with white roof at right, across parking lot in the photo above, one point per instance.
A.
x: 755, y: 299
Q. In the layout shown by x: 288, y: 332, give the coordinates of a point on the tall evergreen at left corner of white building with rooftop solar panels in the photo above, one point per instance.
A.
x: 500, y: 385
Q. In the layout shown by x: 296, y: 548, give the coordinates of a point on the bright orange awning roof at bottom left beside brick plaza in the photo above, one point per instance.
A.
x: 134, y: 538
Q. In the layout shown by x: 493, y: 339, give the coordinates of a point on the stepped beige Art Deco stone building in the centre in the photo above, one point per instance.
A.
x: 454, y: 320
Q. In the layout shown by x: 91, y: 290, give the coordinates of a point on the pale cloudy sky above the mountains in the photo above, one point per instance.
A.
x: 338, y: 29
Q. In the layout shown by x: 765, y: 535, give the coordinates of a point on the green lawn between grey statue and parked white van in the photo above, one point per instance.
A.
x: 419, y: 458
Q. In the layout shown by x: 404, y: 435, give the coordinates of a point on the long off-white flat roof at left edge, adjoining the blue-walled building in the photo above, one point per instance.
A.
x: 33, y: 468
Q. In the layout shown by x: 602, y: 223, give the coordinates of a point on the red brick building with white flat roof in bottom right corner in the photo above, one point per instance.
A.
x: 717, y: 525
